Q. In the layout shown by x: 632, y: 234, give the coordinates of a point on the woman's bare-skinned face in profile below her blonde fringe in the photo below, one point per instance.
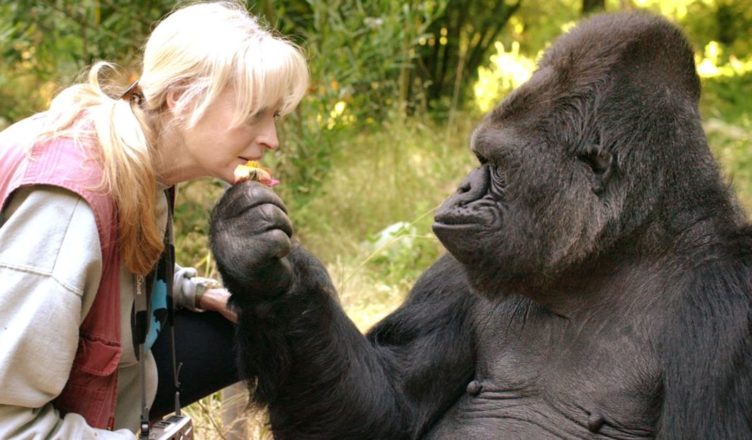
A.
x: 215, y: 147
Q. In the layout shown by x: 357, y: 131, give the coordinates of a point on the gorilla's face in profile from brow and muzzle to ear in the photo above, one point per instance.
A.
x: 539, y: 199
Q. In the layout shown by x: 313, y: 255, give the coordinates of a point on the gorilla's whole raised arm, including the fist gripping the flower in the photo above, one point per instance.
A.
x: 320, y: 377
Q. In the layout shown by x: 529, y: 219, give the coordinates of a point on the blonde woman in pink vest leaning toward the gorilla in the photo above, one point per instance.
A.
x: 84, y: 226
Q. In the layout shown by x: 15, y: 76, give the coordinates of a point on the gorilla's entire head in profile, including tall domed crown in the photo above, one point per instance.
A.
x: 592, y: 157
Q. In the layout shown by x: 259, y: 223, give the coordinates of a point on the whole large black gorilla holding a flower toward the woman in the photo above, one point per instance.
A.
x: 597, y: 282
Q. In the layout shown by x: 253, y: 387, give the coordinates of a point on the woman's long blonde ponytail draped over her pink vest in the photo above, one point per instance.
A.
x: 87, y: 113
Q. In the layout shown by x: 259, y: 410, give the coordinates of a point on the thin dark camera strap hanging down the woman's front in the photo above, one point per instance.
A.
x: 165, y: 271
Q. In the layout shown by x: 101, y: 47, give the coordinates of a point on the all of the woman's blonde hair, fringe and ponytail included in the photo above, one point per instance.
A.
x: 201, y: 49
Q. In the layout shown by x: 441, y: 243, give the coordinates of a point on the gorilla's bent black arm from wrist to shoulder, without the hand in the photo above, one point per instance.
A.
x: 322, y: 379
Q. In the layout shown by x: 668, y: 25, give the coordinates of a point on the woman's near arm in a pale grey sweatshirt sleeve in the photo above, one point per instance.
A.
x: 50, y: 266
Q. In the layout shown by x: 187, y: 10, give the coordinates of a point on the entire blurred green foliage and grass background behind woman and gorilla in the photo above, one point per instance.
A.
x: 382, y: 137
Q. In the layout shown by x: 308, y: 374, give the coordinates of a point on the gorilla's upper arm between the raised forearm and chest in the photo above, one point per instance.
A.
x: 429, y: 343
